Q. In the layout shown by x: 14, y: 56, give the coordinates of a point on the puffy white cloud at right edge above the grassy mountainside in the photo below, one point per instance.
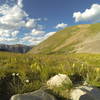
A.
x: 92, y: 14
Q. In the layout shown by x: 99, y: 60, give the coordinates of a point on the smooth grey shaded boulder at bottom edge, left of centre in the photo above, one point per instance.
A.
x: 37, y: 95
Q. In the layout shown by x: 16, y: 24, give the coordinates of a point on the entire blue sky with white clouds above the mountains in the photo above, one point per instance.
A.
x: 32, y: 21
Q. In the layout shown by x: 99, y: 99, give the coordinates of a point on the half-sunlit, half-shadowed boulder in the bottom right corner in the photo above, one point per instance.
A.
x: 85, y: 93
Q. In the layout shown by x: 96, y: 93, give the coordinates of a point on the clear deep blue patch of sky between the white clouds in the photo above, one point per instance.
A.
x: 57, y: 11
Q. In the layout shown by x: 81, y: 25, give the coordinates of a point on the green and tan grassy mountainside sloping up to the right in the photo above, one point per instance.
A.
x: 81, y: 39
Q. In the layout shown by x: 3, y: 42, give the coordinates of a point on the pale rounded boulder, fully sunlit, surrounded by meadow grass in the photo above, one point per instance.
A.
x: 59, y: 80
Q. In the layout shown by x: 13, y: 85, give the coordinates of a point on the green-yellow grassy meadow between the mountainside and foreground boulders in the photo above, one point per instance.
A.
x: 21, y: 73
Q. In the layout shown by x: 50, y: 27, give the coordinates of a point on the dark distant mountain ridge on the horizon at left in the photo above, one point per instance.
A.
x: 17, y: 48
